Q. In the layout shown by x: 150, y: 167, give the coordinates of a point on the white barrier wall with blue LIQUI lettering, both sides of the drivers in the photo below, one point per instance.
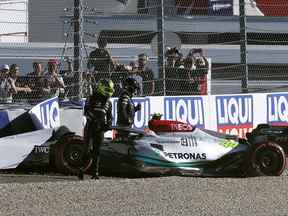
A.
x: 234, y: 114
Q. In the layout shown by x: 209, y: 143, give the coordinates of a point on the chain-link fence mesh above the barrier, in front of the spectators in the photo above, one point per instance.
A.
x: 171, y: 47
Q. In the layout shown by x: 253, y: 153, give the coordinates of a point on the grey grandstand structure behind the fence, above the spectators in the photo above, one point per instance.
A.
x: 131, y: 27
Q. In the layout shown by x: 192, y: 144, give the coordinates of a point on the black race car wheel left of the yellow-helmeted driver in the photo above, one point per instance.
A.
x: 69, y: 154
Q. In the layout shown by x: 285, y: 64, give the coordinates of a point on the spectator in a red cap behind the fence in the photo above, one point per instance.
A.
x: 54, y: 84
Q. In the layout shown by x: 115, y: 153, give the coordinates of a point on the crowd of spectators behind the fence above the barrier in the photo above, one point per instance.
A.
x: 185, y: 75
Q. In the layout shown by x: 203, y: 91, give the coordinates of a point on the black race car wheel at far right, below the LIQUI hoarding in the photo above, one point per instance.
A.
x: 267, y: 159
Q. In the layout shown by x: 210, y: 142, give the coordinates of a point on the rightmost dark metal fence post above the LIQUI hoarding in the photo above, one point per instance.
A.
x: 243, y: 46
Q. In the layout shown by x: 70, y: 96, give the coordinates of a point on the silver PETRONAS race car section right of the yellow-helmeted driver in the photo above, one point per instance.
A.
x: 172, y: 147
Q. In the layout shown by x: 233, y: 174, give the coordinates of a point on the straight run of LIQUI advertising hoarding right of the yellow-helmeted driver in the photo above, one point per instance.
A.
x: 232, y: 114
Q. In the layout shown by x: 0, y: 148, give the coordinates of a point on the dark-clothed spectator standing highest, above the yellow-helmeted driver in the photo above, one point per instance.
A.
x: 100, y: 58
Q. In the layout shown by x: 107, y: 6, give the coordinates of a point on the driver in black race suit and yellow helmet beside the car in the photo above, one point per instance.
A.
x: 98, y: 112
